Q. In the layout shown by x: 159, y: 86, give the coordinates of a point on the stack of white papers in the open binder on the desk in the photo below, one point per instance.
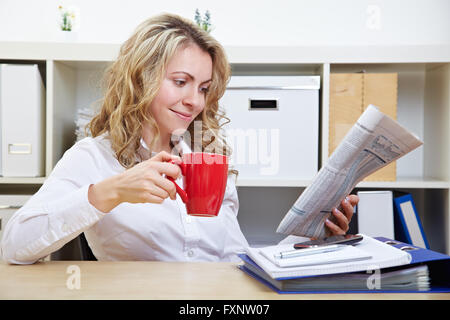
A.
x: 368, y: 263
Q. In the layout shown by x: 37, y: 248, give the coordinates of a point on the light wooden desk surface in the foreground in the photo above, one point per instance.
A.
x: 151, y: 280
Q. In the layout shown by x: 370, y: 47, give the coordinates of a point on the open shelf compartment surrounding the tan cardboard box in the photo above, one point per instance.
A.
x: 423, y: 108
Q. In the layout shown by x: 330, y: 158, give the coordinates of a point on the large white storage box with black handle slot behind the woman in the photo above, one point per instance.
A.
x: 274, y: 128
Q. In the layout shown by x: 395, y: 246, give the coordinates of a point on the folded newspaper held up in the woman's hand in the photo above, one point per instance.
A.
x: 374, y: 141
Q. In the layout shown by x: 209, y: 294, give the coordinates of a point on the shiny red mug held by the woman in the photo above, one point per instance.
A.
x: 205, y: 180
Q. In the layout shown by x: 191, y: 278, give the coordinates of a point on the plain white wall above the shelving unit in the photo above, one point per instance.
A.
x: 243, y: 22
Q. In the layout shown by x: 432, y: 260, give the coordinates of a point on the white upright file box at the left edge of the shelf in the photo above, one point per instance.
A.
x: 22, y: 105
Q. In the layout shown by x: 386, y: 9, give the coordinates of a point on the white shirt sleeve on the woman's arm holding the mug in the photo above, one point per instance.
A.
x: 58, y: 212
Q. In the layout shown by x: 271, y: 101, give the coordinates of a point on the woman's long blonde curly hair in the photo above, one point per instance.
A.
x: 134, y: 78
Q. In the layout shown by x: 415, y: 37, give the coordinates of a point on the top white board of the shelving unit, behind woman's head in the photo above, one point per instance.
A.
x: 243, y: 54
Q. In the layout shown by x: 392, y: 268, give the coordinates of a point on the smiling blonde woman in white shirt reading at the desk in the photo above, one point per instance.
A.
x: 113, y: 186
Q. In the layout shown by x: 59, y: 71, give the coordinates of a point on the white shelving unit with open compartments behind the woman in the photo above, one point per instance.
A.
x: 73, y: 72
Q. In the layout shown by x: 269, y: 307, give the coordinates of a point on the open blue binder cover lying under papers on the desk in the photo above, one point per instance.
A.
x: 438, y: 265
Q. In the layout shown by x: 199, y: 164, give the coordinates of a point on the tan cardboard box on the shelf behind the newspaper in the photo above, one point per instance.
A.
x: 350, y: 94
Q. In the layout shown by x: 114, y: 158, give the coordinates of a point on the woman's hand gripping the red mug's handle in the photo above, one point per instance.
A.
x: 140, y: 184
